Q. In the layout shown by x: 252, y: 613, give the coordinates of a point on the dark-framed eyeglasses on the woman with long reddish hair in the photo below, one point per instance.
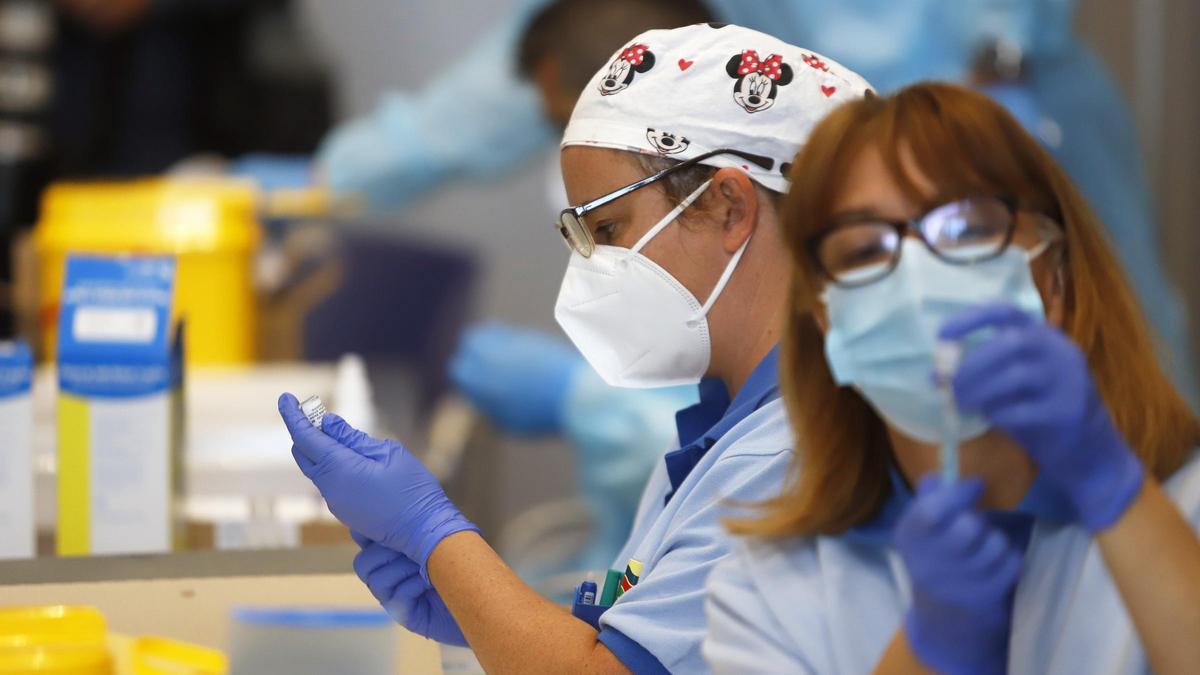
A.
x: 859, y: 252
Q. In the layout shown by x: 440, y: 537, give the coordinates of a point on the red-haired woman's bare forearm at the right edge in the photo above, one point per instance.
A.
x: 1154, y: 557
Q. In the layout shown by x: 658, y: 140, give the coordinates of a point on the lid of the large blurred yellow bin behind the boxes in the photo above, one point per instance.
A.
x: 159, y: 216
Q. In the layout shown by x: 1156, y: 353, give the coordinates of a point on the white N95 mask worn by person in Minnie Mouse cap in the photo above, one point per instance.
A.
x: 634, y: 322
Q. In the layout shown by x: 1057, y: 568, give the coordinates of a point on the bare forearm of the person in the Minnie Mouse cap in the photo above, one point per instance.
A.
x: 509, y: 626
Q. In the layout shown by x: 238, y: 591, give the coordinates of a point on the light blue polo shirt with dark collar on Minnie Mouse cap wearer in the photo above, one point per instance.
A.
x: 731, y: 452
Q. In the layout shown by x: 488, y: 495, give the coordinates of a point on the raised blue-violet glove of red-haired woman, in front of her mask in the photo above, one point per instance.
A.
x: 1033, y: 383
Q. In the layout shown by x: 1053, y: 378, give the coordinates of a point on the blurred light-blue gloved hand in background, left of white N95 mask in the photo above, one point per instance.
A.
x: 518, y: 377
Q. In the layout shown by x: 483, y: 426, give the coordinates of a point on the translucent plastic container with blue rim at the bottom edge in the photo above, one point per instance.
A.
x: 313, y: 642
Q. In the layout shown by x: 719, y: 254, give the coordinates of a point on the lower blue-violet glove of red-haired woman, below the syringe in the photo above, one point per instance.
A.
x: 963, y: 574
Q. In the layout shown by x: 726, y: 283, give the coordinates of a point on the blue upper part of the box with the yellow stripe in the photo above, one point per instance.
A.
x: 116, y: 337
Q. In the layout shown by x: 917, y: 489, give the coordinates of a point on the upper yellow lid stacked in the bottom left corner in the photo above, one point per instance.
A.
x: 51, y: 625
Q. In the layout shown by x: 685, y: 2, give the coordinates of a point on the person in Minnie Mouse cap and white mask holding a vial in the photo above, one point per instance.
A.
x: 675, y: 157
